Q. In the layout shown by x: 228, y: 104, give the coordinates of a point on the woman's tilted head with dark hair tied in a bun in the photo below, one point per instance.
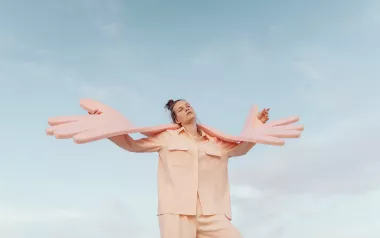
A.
x: 181, y: 111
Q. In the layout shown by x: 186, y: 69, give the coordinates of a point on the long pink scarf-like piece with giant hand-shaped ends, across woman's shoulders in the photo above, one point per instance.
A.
x: 109, y: 123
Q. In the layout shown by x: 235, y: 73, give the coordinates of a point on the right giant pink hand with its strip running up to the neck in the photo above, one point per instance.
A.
x: 255, y: 131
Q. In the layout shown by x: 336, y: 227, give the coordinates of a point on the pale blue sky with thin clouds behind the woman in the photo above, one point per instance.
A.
x: 319, y: 60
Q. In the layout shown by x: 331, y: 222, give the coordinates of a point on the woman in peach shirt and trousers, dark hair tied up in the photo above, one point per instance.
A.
x: 193, y: 188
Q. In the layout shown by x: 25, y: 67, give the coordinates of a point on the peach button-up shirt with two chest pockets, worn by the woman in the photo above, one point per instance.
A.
x: 189, y: 167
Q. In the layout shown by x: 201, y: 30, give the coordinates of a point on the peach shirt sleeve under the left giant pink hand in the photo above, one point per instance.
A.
x: 147, y: 144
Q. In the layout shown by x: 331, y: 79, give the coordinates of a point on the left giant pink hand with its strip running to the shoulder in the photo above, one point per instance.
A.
x: 87, y: 128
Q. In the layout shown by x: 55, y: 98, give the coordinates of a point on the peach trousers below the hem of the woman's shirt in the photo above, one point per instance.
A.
x: 199, y: 226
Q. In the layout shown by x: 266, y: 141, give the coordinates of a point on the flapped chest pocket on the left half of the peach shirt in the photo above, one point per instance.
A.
x: 179, y: 155
